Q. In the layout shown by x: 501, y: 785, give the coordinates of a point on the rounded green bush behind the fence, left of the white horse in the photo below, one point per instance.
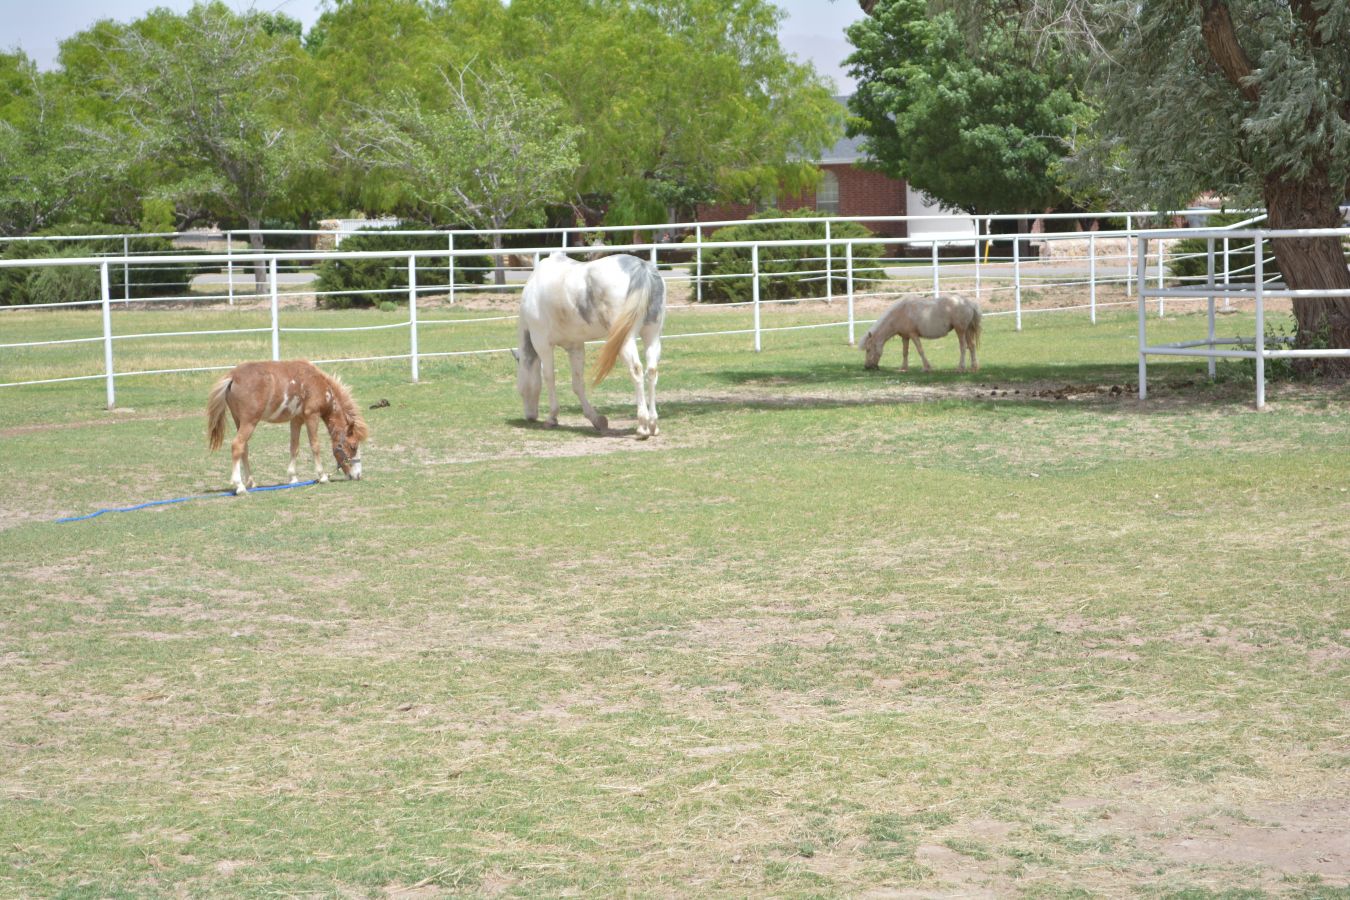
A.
x: 391, y: 275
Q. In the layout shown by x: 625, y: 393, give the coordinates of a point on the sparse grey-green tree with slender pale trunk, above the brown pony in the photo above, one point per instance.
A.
x: 210, y: 101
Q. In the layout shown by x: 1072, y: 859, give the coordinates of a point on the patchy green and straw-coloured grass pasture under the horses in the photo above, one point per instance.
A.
x: 831, y: 634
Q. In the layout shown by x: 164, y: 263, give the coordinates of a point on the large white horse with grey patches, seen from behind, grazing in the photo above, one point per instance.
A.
x: 570, y: 303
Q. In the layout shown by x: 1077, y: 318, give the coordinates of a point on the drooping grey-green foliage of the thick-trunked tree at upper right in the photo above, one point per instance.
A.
x: 1174, y: 125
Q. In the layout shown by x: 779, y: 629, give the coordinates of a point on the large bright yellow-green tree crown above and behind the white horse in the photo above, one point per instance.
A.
x: 681, y: 102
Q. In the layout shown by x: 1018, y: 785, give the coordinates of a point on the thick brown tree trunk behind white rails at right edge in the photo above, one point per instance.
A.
x: 1313, y: 262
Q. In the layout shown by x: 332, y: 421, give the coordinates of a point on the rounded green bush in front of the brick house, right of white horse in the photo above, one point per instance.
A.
x: 785, y: 272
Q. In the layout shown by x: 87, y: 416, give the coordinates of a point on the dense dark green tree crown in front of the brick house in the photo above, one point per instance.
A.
x: 982, y: 129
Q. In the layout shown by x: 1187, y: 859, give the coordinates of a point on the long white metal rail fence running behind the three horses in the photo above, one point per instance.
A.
x: 1096, y: 260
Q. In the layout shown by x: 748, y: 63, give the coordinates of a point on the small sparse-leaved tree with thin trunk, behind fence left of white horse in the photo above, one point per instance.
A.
x: 492, y: 156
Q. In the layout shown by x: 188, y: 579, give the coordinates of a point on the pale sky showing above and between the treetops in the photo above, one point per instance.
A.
x: 813, y: 30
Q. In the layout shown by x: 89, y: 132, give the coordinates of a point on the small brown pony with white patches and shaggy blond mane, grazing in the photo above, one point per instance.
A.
x: 292, y: 392
